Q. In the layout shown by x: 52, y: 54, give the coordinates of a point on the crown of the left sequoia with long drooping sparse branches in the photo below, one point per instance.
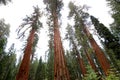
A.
x: 30, y: 22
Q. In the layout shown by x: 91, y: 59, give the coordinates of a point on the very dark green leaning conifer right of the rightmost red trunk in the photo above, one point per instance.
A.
x: 109, y: 41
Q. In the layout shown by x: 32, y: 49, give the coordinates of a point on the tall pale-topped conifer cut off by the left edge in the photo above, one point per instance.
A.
x: 4, y: 56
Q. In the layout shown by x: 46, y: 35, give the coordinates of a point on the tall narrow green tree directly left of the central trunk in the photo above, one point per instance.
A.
x: 50, y: 60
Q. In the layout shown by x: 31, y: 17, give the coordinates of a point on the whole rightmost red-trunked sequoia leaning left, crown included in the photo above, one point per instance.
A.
x: 80, y: 17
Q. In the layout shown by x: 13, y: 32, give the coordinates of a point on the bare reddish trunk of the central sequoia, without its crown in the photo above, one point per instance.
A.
x: 60, y: 69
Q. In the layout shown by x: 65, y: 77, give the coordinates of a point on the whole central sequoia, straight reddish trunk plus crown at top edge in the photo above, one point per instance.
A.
x: 60, y: 69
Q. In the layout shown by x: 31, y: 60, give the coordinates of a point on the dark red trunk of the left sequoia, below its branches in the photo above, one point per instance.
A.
x: 24, y: 67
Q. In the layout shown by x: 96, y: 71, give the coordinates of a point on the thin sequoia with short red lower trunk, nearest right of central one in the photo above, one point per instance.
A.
x: 70, y: 35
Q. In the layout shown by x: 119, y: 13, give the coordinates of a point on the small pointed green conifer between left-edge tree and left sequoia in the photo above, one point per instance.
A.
x: 11, y: 64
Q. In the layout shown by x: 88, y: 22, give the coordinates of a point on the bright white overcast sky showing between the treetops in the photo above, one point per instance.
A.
x: 14, y: 12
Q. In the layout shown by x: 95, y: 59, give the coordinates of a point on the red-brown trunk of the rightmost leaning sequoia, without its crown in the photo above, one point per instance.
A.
x: 99, y: 53
